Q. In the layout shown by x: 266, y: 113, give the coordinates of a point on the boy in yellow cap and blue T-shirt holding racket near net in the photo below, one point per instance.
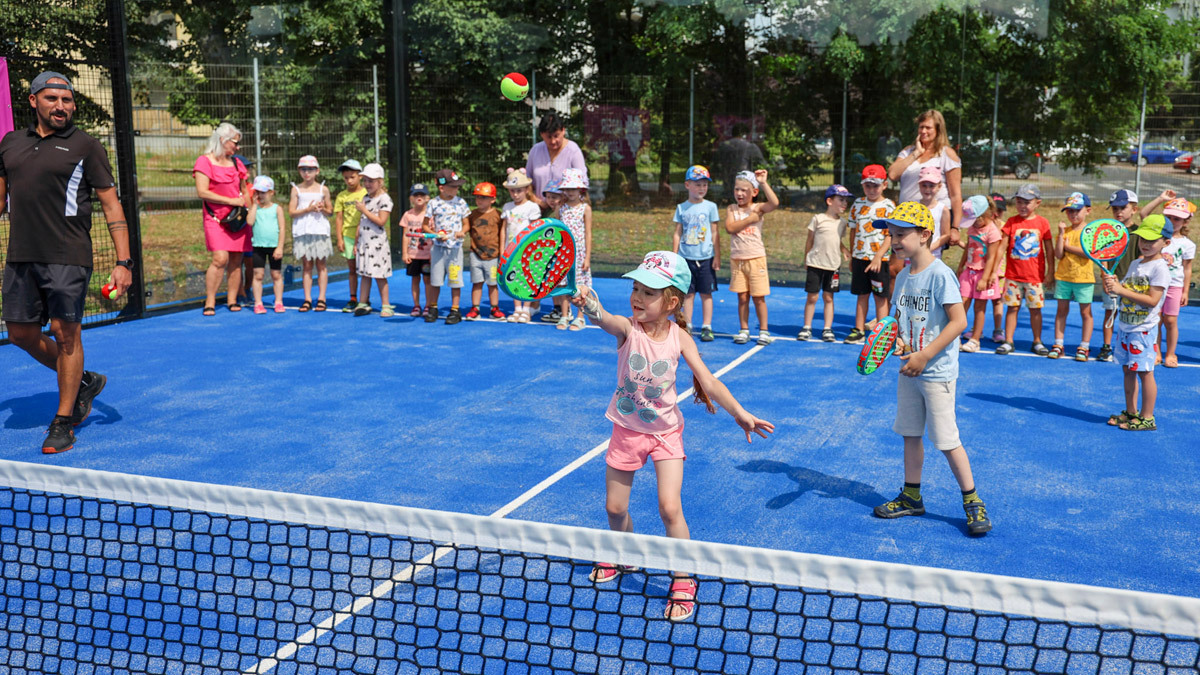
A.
x: 929, y: 309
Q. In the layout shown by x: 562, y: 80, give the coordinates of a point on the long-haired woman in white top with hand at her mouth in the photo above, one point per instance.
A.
x: 932, y: 148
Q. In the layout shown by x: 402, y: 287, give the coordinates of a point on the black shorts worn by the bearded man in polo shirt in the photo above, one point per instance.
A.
x: 39, y: 292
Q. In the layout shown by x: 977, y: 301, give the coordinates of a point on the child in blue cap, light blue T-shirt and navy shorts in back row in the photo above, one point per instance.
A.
x: 697, y: 242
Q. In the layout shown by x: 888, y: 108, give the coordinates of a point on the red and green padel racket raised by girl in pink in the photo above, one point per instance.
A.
x: 542, y: 258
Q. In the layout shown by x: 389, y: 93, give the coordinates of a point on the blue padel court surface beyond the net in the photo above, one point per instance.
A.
x: 488, y: 417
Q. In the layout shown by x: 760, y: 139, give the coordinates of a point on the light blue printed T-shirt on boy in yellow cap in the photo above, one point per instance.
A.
x: 920, y: 301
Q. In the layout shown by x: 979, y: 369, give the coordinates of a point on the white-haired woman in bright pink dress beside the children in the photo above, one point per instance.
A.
x: 221, y: 186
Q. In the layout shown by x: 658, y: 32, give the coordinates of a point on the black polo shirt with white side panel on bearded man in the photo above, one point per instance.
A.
x: 50, y: 194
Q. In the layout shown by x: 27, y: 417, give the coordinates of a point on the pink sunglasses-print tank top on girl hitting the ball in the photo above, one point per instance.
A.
x: 645, y: 401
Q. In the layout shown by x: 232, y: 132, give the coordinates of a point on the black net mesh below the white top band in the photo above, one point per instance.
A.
x: 93, y: 586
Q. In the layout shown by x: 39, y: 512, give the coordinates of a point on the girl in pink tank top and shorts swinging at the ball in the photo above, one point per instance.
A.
x: 646, y: 419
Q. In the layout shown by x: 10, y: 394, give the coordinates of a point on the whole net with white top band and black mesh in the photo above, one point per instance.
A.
x: 116, y: 574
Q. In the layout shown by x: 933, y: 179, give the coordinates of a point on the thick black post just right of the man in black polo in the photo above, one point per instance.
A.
x: 127, y: 160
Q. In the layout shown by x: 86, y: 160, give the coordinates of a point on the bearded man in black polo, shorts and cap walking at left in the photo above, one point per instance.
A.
x: 47, y: 172
